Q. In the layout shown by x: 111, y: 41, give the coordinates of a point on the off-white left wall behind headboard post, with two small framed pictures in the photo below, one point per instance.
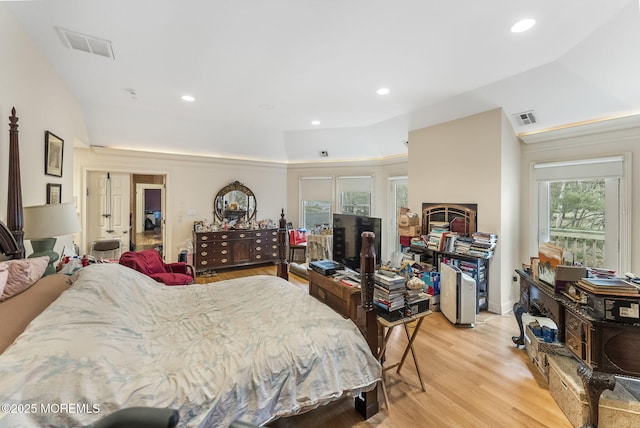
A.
x: 43, y: 103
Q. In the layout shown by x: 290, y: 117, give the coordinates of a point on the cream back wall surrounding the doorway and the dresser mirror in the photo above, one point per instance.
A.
x: 192, y: 183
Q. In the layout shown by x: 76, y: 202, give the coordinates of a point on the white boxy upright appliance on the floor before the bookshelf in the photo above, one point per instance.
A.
x: 457, y: 295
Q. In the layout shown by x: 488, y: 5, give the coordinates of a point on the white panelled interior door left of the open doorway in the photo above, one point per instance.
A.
x: 108, y: 213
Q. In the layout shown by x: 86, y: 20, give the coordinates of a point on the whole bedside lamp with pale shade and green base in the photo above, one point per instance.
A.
x: 42, y: 223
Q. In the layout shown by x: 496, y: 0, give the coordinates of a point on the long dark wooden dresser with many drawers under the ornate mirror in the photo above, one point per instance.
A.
x: 217, y: 250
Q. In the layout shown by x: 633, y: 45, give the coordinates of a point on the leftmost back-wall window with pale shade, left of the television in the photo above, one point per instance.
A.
x: 316, y: 196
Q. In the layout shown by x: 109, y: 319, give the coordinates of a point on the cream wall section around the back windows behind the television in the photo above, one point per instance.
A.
x: 380, y: 170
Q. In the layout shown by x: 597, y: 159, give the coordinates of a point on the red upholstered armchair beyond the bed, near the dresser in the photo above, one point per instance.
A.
x: 151, y: 264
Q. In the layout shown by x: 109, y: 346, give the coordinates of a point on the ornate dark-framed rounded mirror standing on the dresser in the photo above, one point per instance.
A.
x: 235, y: 201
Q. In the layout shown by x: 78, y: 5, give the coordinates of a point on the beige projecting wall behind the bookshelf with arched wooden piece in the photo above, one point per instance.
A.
x: 473, y: 160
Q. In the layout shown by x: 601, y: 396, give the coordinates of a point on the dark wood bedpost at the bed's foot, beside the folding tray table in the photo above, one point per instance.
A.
x: 367, y: 403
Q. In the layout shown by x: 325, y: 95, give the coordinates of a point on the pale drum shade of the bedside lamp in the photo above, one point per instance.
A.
x: 46, y: 221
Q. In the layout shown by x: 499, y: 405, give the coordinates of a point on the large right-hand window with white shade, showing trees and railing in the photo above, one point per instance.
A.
x: 580, y: 209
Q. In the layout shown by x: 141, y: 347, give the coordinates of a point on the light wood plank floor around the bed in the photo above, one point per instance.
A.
x: 475, y: 377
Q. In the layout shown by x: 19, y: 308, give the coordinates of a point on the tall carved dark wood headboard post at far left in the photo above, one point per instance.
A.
x: 15, y: 221
